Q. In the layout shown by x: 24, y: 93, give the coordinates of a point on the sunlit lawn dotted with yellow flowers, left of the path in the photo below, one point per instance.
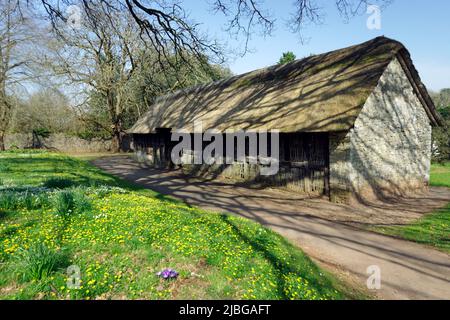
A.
x: 57, y: 211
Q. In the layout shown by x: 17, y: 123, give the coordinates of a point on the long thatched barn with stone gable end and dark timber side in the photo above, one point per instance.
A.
x: 355, y: 121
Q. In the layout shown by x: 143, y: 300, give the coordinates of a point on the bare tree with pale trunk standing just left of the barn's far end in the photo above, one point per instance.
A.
x: 99, y: 56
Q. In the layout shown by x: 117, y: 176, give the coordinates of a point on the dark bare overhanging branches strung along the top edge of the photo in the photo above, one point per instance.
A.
x: 165, y: 24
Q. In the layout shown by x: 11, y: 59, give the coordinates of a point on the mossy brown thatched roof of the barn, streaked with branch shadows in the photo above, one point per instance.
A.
x: 317, y: 94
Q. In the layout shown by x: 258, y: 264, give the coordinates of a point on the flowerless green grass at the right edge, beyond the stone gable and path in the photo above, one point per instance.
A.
x: 433, y: 229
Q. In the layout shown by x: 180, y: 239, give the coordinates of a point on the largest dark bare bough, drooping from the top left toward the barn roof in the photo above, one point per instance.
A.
x: 164, y: 25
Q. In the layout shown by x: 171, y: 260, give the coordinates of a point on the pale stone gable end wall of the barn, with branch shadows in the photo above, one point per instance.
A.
x: 388, y: 152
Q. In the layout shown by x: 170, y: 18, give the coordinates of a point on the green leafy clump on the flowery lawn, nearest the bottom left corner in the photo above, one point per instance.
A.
x: 39, y: 261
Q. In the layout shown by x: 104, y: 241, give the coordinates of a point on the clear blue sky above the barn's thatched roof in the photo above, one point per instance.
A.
x: 422, y: 26
